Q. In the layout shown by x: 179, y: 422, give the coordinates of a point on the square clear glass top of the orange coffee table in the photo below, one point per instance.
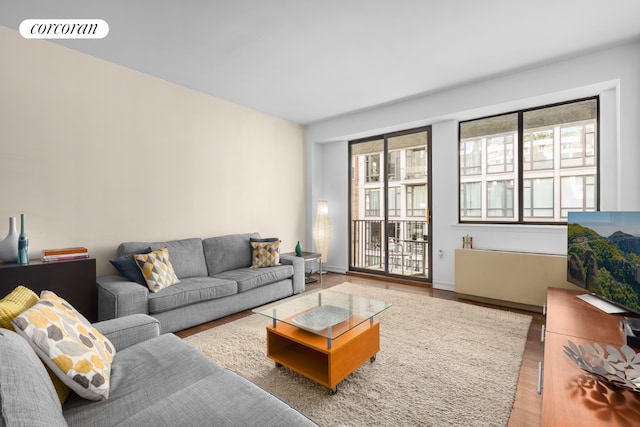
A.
x: 326, y: 313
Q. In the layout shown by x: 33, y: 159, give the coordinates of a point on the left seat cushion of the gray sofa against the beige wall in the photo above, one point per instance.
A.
x: 190, y: 291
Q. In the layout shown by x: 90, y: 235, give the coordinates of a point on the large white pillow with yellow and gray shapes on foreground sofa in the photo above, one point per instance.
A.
x: 67, y: 343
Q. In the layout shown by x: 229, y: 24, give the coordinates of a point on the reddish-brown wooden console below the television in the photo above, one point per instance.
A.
x: 569, y: 397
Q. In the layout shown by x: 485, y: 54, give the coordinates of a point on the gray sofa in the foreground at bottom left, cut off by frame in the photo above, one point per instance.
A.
x: 156, y: 380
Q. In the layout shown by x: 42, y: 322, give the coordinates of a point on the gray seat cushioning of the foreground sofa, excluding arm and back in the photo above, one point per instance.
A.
x: 166, y: 382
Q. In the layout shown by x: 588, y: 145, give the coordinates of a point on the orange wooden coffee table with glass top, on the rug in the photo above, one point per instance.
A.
x: 324, y: 335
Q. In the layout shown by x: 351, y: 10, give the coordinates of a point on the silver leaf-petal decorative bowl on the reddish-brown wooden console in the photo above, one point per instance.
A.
x: 620, y: 367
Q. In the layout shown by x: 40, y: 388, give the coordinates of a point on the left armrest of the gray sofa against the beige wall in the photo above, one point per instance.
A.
x: 119, y: 297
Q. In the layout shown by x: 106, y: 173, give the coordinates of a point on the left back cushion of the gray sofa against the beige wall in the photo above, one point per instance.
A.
x: 187, y: 255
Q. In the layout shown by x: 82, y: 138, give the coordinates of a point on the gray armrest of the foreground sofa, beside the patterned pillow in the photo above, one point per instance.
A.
x: 126, y: 331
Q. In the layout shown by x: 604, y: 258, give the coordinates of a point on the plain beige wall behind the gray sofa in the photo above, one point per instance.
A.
x: 94, y: 154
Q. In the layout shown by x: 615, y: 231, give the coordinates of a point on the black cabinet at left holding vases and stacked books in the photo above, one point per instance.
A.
x: 75, y: 281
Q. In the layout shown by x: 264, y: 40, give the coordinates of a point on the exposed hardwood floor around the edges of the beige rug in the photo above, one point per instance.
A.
x: 528, y: 404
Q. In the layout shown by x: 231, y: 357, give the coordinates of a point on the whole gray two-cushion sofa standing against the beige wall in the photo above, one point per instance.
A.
x: 216, y: 280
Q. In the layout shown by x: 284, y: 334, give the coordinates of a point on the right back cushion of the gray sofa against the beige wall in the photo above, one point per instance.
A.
x: 229, y: 252
